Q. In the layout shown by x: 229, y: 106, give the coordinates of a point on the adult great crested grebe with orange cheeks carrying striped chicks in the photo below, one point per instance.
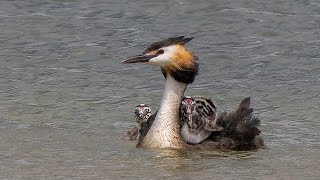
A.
x: 179, y: 66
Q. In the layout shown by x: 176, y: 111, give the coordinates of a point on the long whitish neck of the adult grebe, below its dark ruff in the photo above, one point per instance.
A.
x: 164, y: 132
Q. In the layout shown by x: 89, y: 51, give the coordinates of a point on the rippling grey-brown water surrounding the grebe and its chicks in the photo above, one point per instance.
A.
x: 65, y: 100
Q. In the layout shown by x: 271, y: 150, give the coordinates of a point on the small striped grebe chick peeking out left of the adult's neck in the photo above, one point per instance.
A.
x: 142, y: 113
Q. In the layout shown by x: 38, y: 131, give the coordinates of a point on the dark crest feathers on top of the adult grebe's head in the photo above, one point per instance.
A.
x: 167, y: 42
